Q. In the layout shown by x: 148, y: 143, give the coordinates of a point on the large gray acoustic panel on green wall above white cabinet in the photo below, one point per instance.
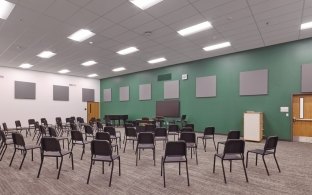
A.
x: 254, y: 82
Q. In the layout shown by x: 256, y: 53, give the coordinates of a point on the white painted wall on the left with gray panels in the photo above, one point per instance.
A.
x: 43, y: 106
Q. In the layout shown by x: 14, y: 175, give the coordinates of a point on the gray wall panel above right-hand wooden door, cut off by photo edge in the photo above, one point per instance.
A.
x: 306, y: 78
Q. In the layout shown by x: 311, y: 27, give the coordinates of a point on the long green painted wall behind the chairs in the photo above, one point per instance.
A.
x: 226, y: 110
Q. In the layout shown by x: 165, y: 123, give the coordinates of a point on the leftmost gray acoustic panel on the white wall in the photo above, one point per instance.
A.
x: 25, y: 90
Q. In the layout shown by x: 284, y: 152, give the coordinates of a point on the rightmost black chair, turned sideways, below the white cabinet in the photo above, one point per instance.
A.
x: 269, y: 148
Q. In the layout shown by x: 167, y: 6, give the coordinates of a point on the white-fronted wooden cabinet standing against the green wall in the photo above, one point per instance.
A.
x: 253, y: 126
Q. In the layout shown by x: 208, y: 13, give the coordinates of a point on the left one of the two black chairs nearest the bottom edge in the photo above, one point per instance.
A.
x: 101, y: 150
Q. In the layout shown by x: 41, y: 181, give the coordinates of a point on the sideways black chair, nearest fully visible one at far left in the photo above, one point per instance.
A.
x: 19, y: 144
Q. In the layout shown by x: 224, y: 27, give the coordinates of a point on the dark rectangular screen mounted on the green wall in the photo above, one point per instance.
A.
x: 168, y: 108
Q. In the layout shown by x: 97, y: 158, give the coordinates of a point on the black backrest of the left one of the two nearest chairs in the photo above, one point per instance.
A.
x: 101, y: 147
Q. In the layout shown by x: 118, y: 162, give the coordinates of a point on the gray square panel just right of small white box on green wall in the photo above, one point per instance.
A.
x: 206, y: 86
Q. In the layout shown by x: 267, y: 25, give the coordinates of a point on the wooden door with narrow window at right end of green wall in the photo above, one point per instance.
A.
x: 302, y: 117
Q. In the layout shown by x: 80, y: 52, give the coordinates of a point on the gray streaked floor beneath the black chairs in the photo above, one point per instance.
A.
x: 294, y: 159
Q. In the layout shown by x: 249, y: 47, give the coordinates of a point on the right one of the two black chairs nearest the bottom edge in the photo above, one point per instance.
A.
x: 175, y: 153
